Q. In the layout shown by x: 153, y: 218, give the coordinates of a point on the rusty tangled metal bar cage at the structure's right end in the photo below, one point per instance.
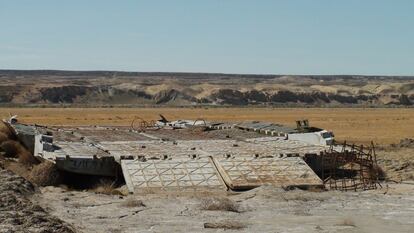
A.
x: 352, y: 168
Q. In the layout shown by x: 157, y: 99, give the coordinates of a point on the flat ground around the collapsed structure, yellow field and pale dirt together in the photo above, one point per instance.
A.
x: 265, y: 209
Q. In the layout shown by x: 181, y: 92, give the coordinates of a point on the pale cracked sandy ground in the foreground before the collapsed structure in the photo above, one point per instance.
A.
x: 265, y: 209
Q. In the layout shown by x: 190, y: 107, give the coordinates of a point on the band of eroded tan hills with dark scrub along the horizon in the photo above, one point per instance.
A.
x: 113, y: 88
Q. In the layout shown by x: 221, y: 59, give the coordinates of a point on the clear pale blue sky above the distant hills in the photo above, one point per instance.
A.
x: 230, y: 36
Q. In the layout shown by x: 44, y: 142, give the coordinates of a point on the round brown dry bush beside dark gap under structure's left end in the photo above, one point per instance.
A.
x: 45, y: 174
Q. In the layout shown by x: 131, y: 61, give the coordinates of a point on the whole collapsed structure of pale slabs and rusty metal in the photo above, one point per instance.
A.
x: 197, y: 154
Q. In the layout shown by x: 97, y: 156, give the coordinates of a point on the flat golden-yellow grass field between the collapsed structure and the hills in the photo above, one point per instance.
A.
x: 383, y: 126
